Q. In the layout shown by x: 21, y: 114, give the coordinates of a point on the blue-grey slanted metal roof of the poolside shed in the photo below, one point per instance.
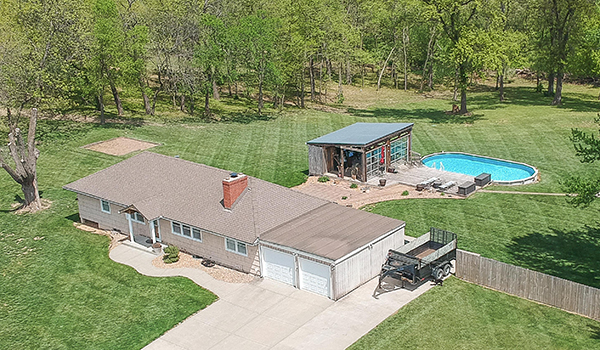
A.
x: 360, y: 133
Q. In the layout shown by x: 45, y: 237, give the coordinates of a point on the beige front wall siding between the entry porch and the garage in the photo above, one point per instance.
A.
x: 212, y: 247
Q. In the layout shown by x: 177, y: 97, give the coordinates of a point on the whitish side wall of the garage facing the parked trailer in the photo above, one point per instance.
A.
x: 363, y: 266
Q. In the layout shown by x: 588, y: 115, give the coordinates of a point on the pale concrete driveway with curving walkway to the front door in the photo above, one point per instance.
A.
x: 265, y: 314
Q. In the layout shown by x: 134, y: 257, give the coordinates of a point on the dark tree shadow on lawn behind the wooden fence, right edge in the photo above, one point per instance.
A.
x: 571, y: 255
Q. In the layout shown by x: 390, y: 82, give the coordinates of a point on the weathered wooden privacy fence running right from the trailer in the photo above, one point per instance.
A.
x: 546, y: 289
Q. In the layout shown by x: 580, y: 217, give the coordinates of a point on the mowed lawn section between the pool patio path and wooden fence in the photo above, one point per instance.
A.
x: 542, y: 233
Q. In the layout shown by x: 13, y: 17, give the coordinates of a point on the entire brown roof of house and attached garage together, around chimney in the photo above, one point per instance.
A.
x: 160, y: 186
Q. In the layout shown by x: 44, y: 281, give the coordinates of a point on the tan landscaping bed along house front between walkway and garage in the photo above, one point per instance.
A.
x: 217, y: 272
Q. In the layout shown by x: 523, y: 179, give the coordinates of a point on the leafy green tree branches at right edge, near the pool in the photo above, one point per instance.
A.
x: 585, y: 190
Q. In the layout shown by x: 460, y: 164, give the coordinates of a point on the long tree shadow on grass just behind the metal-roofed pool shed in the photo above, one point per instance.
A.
x: 434, y: 116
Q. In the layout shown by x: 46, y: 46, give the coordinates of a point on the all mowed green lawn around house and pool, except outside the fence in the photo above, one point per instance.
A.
x: 66, y: 293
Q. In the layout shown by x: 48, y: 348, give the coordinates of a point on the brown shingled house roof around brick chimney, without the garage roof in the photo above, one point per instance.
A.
x: 162, y: 186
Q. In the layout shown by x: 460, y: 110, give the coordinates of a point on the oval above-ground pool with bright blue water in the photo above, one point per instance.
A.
x: 503, y: 172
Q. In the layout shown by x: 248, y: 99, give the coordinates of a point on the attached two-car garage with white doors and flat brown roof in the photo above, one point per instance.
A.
x: 330, y: 250
